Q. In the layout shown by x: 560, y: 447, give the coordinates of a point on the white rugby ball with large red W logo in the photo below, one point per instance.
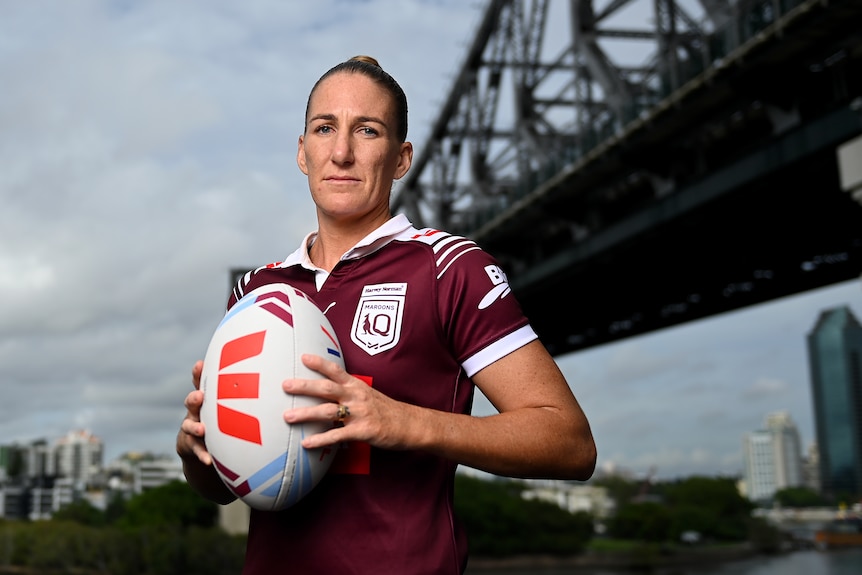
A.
x: 257, y: 345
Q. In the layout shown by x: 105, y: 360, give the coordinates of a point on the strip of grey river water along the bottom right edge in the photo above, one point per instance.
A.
x: 809, y: 562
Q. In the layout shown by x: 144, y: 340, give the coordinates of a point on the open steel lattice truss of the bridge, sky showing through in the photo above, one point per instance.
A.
x: 563, y: 89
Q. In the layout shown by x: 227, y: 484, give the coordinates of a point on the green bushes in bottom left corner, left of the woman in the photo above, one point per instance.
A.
x: 163, y: 531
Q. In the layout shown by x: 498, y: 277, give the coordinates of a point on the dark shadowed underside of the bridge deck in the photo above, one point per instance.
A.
x: 788, y: 232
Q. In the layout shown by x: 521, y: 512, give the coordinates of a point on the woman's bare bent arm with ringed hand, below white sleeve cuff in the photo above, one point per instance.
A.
x: 540, y: 430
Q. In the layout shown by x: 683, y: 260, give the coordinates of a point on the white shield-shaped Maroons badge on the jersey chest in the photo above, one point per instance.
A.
x: 377, y: 323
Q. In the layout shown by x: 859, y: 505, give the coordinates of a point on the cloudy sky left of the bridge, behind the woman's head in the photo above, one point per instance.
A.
x: 149, y: 148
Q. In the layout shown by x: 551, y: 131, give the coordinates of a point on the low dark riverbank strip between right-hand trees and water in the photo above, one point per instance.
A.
x: 622, y: 561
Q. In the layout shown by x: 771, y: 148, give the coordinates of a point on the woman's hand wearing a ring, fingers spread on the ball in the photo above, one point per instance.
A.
x: 374, y: 417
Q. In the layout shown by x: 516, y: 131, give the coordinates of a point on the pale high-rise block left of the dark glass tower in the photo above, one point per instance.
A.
x: 773, y: 457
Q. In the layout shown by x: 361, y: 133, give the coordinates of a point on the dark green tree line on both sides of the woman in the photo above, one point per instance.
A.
x: 171, y: 529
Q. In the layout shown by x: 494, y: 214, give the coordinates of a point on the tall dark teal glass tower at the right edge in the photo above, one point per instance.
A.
x: 835, y: 361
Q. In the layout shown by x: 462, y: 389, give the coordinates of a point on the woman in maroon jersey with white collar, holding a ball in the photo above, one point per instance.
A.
x: 422, y: 316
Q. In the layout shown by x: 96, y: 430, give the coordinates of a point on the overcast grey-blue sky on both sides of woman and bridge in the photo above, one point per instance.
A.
x: 146, y: 148
